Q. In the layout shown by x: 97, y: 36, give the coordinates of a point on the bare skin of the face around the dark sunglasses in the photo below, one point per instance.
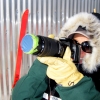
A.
x: 80, y: 38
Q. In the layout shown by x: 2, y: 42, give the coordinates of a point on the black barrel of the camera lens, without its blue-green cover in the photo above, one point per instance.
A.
x: 49, y: 47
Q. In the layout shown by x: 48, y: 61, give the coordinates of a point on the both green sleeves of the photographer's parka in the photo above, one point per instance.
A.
x: 33, y: 85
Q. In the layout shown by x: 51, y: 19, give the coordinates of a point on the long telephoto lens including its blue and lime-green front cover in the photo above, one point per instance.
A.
x: 41, y: 46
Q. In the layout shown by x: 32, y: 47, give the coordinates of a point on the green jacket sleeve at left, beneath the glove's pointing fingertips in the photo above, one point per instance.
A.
x: 33, y: 85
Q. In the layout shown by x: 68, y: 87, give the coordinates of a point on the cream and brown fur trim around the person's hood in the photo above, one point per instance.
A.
x: 92, y: 26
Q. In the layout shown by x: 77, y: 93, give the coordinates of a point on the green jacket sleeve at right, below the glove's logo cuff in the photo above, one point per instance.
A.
x: 84, y: 90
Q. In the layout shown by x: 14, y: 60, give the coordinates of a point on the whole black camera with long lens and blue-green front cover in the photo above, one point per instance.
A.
x: 44, y: 46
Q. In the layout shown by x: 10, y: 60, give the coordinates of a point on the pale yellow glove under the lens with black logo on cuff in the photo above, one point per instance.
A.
x: 62, y: 70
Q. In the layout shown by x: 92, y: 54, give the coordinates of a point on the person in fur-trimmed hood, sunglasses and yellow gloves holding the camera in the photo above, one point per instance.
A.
x: 61, y: 77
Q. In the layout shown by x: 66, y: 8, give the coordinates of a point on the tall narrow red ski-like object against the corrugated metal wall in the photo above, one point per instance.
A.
x: 24, y: 21
